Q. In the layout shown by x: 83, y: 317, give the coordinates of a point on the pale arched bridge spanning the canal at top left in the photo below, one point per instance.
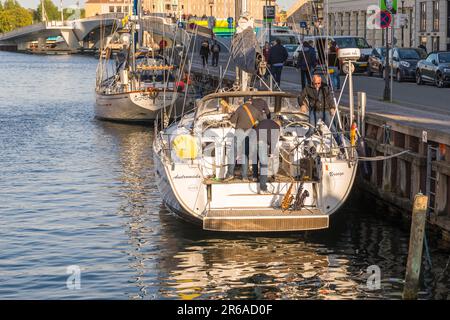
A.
x: 78, y: 34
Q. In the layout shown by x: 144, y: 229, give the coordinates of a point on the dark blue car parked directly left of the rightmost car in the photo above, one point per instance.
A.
x: 404, y: 62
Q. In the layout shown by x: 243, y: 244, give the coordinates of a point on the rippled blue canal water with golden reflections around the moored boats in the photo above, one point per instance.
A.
x: 81, y: 218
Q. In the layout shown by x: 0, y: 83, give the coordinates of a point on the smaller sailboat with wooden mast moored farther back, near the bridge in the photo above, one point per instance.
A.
x: 138, y: 85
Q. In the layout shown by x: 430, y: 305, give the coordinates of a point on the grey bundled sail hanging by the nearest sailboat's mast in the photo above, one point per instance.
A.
x: 244, y: 46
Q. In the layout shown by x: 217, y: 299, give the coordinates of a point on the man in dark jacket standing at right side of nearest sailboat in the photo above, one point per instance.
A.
x: 320, y: 105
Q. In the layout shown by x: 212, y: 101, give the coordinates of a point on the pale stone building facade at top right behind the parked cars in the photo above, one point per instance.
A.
x: 428, y: 22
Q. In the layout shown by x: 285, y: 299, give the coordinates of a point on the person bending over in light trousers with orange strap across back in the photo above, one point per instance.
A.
x: 245, y: 118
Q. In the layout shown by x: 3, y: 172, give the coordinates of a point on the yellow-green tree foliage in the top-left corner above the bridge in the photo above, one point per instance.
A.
x: 13, y: 16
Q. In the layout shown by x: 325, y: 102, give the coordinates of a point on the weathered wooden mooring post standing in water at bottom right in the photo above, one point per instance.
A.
x: 415, y: 247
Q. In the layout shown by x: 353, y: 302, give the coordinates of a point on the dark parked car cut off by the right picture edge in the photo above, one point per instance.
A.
x: 435, y: 69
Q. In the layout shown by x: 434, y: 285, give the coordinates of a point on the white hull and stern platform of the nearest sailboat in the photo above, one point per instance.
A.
x: 239, y: 207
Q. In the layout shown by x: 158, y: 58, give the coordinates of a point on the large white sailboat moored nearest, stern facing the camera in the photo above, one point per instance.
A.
x: 191, y: 158
